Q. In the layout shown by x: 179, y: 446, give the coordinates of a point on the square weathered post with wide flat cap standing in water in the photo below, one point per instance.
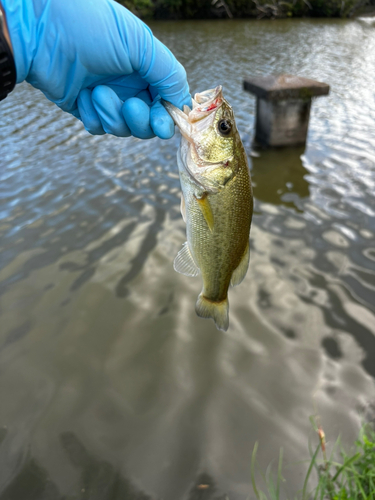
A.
x: 283, y: 108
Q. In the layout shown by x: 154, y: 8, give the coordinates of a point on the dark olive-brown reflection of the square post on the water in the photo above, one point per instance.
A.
x: 279, y: 177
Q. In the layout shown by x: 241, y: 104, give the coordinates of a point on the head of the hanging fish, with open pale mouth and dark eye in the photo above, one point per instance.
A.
x: 209, y: 136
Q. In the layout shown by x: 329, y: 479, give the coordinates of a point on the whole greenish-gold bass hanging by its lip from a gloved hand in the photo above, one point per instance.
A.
x: 216, y: 203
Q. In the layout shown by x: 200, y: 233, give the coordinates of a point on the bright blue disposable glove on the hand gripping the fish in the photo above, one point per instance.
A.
x: 96, y: 60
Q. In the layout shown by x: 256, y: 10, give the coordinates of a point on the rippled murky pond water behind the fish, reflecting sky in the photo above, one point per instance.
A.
x: 110, y: 386
